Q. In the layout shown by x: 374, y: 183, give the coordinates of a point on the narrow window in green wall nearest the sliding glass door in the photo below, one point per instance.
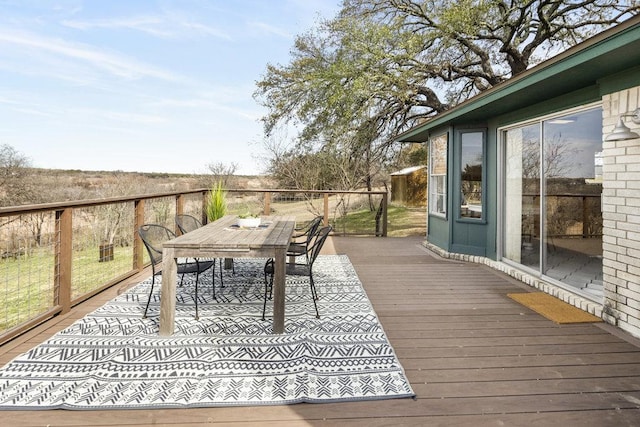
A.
x: 471, y: 161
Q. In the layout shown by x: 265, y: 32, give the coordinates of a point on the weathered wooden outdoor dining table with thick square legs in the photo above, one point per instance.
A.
x: 224, y: 239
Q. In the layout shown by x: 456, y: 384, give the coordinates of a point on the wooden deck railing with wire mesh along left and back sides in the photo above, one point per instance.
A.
x: 56, y: 255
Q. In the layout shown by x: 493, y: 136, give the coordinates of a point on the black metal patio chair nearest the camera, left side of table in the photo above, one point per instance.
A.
x: 153, y: 236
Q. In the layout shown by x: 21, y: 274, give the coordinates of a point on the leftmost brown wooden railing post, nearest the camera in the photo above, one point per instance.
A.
x: 62, y: 263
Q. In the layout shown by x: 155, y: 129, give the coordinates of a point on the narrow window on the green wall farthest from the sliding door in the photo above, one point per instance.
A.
x: 438, y: 175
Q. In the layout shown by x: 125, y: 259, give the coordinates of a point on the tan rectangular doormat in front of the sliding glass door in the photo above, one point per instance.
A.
x: 553, y: 308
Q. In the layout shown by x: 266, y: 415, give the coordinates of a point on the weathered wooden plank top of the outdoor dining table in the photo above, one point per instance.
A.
x: 274, y: 232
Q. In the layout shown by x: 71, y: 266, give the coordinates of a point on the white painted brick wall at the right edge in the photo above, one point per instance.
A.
x: 621, y: 216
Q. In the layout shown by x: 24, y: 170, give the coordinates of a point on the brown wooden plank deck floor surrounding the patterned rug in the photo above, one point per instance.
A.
x: 473, y: 356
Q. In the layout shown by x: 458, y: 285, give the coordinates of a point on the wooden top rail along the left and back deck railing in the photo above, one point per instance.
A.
x: 24, y: 209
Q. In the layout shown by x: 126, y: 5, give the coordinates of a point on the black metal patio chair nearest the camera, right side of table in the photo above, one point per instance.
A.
x: 298, y: 269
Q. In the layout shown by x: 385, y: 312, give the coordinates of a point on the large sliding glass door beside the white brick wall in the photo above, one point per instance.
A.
x: 552, y: 192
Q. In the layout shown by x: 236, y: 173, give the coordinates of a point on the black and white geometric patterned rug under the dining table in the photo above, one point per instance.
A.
x: 114, y: 359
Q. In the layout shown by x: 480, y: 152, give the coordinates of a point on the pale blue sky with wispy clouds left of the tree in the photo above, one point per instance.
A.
x: 142, y: 85
